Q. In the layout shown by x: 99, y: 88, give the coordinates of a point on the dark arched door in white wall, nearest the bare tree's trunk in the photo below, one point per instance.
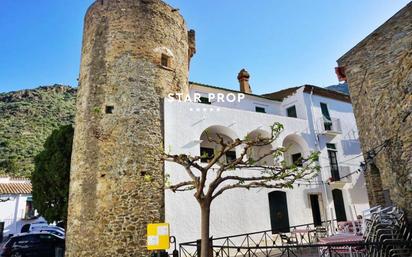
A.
x: 279, y: 216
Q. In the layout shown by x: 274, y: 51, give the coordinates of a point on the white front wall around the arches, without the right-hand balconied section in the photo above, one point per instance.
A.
x: 234, y: 212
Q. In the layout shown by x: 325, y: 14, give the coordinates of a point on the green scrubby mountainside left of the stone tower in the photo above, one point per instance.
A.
x: 27, y: 118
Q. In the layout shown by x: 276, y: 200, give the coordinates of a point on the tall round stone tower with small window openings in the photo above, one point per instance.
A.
x: 134, y: 53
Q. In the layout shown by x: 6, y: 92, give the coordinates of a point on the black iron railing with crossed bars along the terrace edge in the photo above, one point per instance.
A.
x: 301, y: 241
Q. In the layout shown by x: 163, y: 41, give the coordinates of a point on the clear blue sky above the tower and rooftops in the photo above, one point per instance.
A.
x: 281, y: 43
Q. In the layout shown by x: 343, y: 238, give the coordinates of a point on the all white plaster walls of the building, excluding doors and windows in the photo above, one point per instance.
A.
x: 241, y: 211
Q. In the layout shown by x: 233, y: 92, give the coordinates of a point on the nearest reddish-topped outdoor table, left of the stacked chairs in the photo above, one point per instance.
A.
x: 341, y: 239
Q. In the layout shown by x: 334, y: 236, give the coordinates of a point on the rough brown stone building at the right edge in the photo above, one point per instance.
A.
x: 379, y: 74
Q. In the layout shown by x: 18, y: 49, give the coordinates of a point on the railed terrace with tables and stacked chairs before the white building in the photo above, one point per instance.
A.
x: 382, y: 232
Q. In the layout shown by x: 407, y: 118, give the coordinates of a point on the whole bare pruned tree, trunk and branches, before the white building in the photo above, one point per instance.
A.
x: 214, y: 178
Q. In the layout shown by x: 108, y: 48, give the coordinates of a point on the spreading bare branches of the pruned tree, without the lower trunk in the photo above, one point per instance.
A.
x: 277, y: 175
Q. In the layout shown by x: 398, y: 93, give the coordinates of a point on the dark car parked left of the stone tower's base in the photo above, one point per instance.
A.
x: 33, y: 245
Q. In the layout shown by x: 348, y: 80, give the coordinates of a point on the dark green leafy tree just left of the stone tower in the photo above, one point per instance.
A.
x: 51, y: 176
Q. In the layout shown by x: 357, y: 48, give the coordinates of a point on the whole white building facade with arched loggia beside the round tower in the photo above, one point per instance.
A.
x: 314, y: 119
